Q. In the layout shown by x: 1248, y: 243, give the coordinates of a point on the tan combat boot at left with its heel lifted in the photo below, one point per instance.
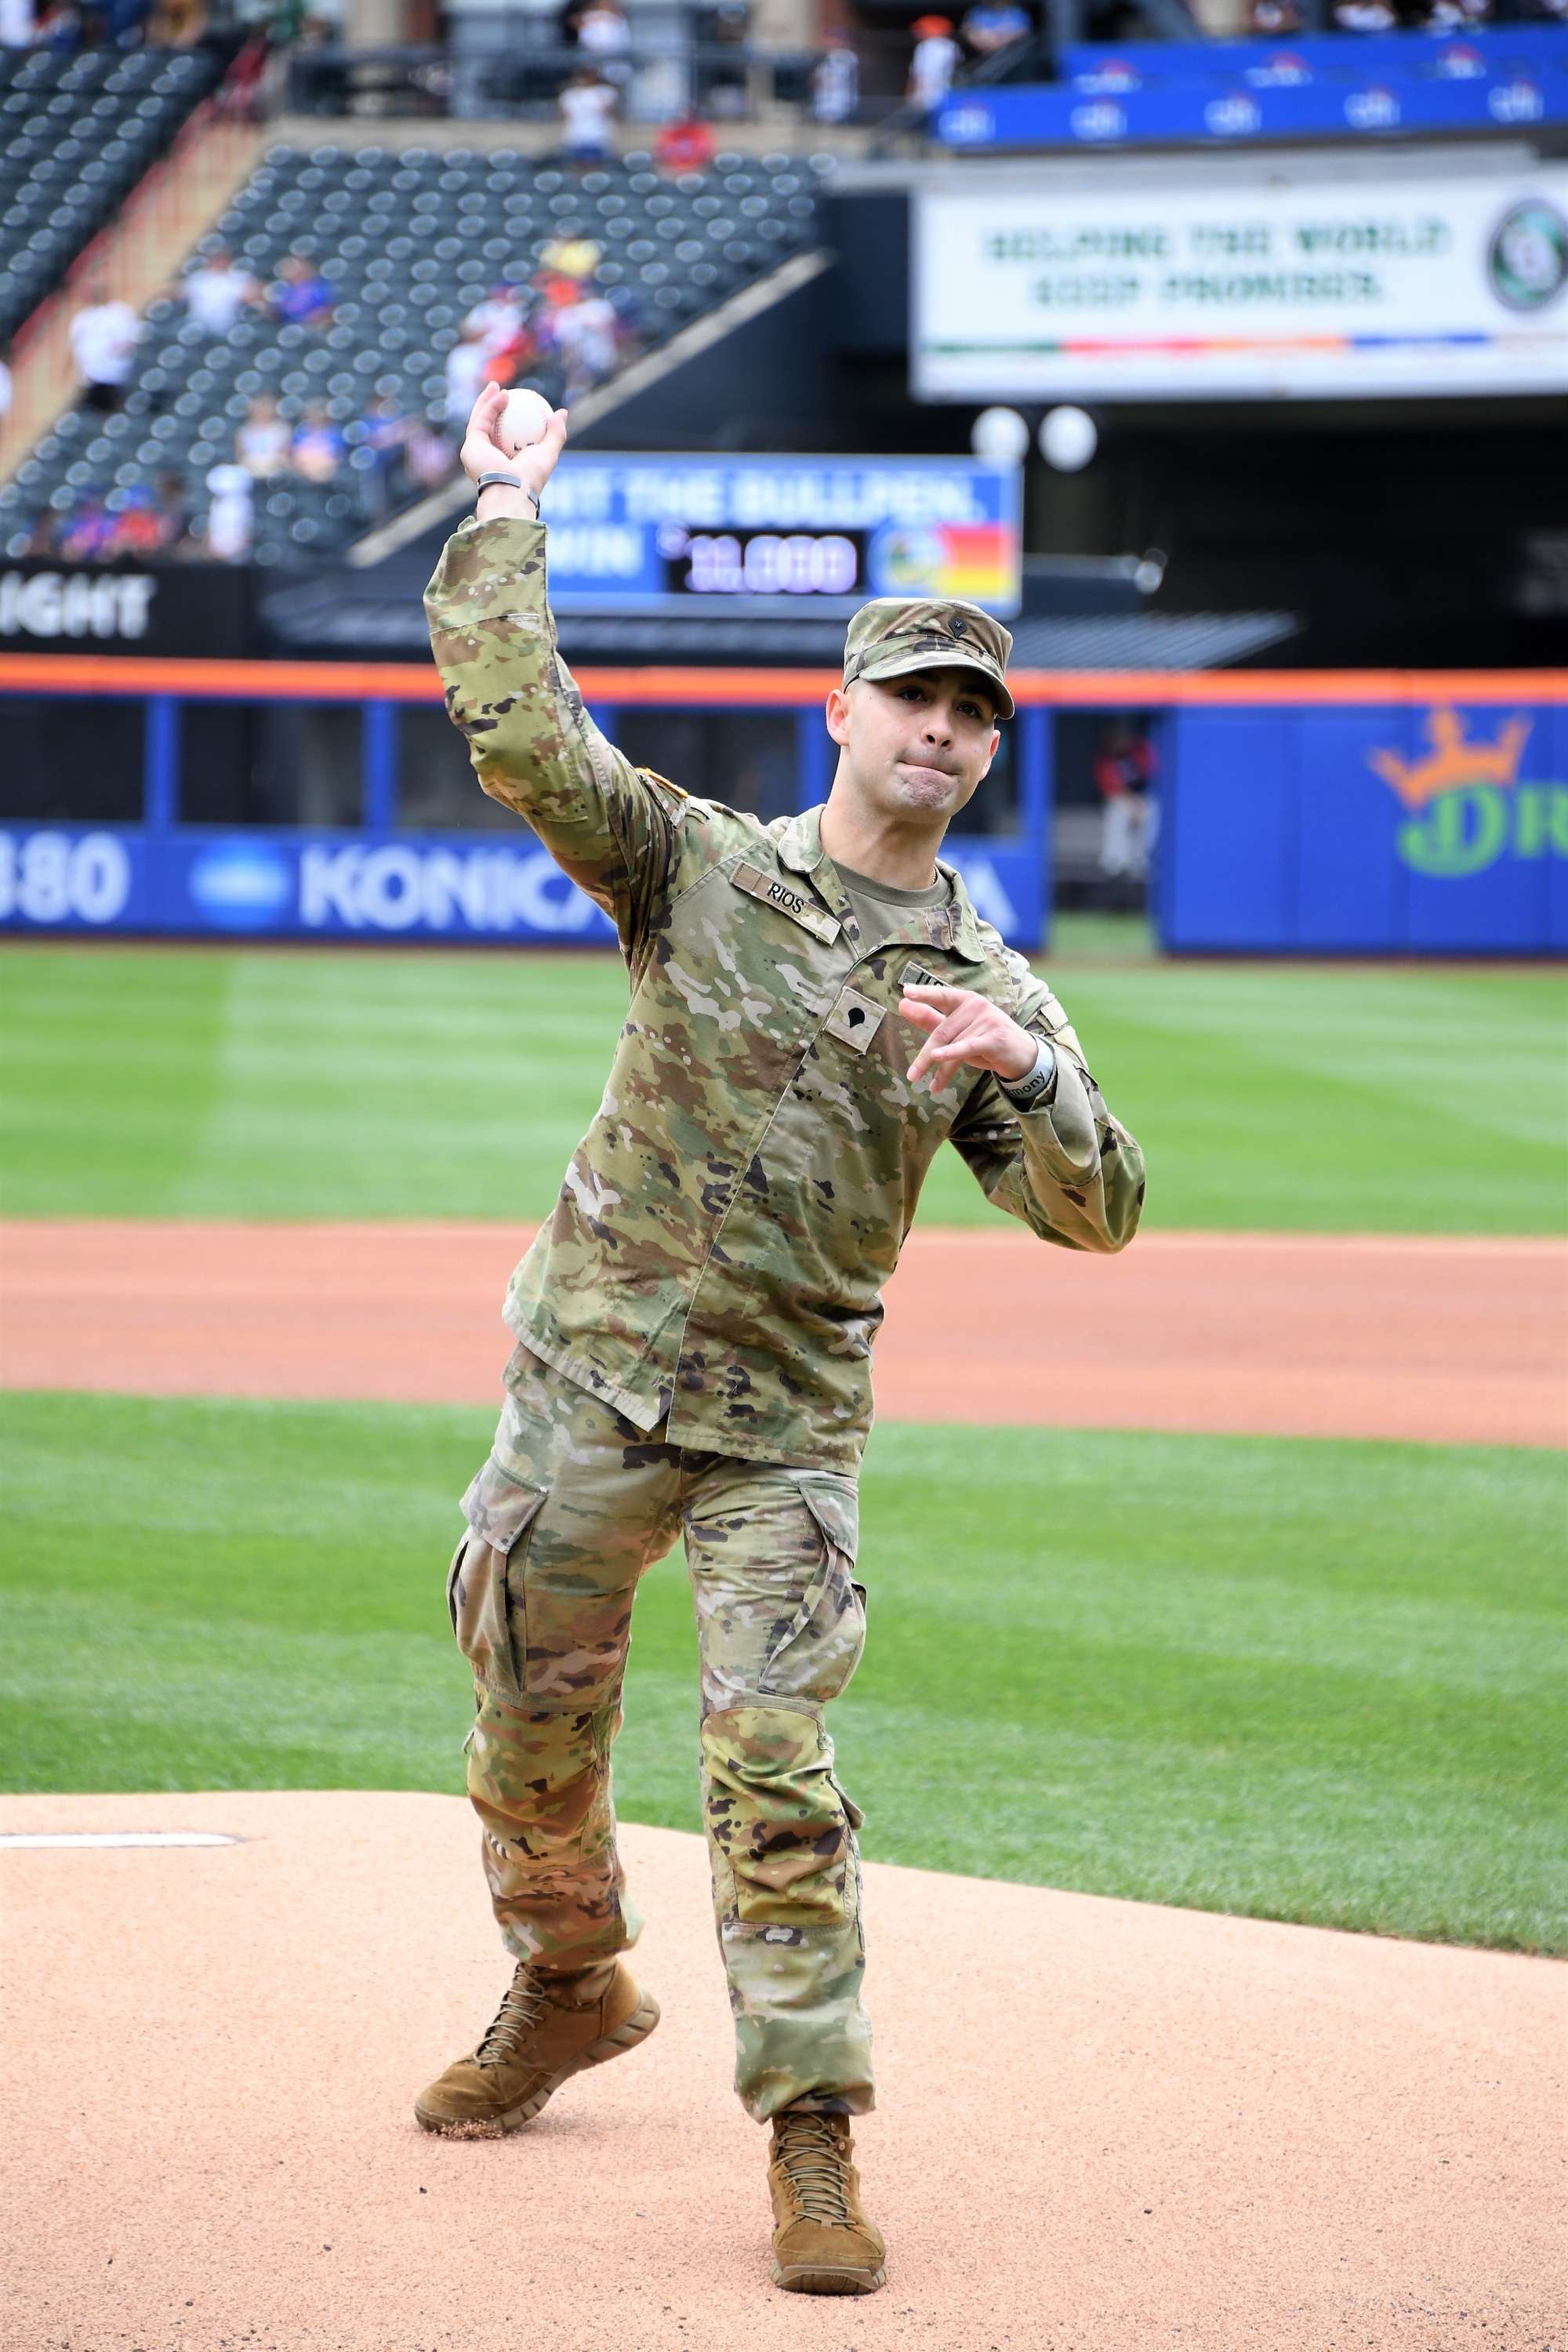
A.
x: 547, y: 2029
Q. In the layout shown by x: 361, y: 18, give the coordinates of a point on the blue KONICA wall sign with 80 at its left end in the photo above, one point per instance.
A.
x: 290, y: 886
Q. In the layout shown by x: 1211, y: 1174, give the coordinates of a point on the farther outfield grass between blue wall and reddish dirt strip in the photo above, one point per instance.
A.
x: 295, y: 1085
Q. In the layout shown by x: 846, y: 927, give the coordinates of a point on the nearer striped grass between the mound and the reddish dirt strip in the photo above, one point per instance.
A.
x: 1299, y: 1681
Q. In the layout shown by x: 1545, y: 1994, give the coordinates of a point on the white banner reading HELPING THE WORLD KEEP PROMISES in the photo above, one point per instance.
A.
x: 1247, y: 286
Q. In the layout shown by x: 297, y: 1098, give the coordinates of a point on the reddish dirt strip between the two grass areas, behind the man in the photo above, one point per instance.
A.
x: 1247, y: 1332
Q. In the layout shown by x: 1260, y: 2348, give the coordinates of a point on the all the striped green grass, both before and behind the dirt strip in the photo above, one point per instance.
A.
x: 1287, y: 1678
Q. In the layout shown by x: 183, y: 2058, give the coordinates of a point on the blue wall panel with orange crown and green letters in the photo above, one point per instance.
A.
x: 1381, y: 831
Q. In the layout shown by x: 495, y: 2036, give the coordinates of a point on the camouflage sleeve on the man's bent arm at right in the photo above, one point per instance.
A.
x: 1068, y: 1170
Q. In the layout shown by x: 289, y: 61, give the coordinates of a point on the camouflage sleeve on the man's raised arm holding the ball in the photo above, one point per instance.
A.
x: 532, y: 744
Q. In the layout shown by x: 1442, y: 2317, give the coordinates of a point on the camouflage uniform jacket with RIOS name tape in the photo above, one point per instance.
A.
x: 728, y: 1224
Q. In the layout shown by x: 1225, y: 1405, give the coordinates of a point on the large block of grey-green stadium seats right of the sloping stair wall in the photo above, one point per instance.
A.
x: 410, y: 241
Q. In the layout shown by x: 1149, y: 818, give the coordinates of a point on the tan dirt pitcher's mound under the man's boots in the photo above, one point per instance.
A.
x: 1104, y: 2125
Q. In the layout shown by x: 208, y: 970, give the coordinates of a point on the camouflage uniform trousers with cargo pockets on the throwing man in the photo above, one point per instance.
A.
x: 568, y: 1514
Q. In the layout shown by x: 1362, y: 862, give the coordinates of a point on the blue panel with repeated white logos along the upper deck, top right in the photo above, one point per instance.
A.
x: 1235, y: 91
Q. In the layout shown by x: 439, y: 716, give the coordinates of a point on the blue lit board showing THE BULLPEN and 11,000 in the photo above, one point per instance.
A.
x: 775, y: 535
